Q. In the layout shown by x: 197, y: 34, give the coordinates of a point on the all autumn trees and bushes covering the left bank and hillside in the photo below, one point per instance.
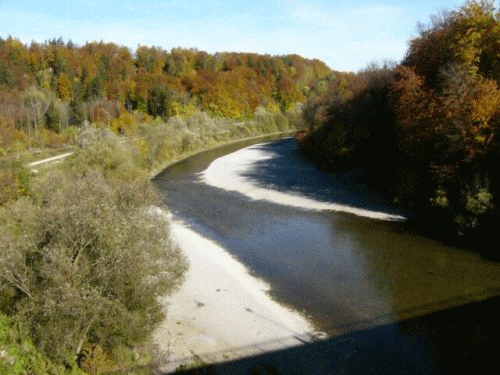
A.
x: 83, y: 258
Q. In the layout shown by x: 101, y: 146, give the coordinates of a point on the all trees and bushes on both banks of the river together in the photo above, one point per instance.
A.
x: 84, y: 255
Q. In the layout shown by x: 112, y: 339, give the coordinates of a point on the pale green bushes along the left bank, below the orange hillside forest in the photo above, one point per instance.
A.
x: 83, y: 258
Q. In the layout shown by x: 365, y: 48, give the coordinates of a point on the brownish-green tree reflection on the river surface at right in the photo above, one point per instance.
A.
x: 420, y: 274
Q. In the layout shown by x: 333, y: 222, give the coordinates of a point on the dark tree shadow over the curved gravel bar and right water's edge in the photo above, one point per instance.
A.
x: 289, y: 171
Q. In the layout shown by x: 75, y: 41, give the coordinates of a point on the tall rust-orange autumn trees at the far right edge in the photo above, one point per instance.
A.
x: 448, y: 109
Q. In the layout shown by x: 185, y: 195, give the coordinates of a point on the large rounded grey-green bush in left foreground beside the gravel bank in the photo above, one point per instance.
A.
x: 85, y: 262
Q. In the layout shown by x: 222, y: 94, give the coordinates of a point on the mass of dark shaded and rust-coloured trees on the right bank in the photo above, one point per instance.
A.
x: 426, y: 130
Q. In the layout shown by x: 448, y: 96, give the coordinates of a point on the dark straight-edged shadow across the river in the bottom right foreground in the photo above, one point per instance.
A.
x: 460, y: 340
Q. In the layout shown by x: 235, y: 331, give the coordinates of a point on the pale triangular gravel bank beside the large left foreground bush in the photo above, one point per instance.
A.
x: 221, y: 312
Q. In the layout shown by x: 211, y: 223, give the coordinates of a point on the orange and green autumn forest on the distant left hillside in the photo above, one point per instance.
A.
x: 47, y: 90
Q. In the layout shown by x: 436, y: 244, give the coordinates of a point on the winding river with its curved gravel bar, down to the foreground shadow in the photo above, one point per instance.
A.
x: 347, y: 264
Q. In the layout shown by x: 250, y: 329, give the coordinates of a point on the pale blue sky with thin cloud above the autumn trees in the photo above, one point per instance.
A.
x: 347, y: 35
